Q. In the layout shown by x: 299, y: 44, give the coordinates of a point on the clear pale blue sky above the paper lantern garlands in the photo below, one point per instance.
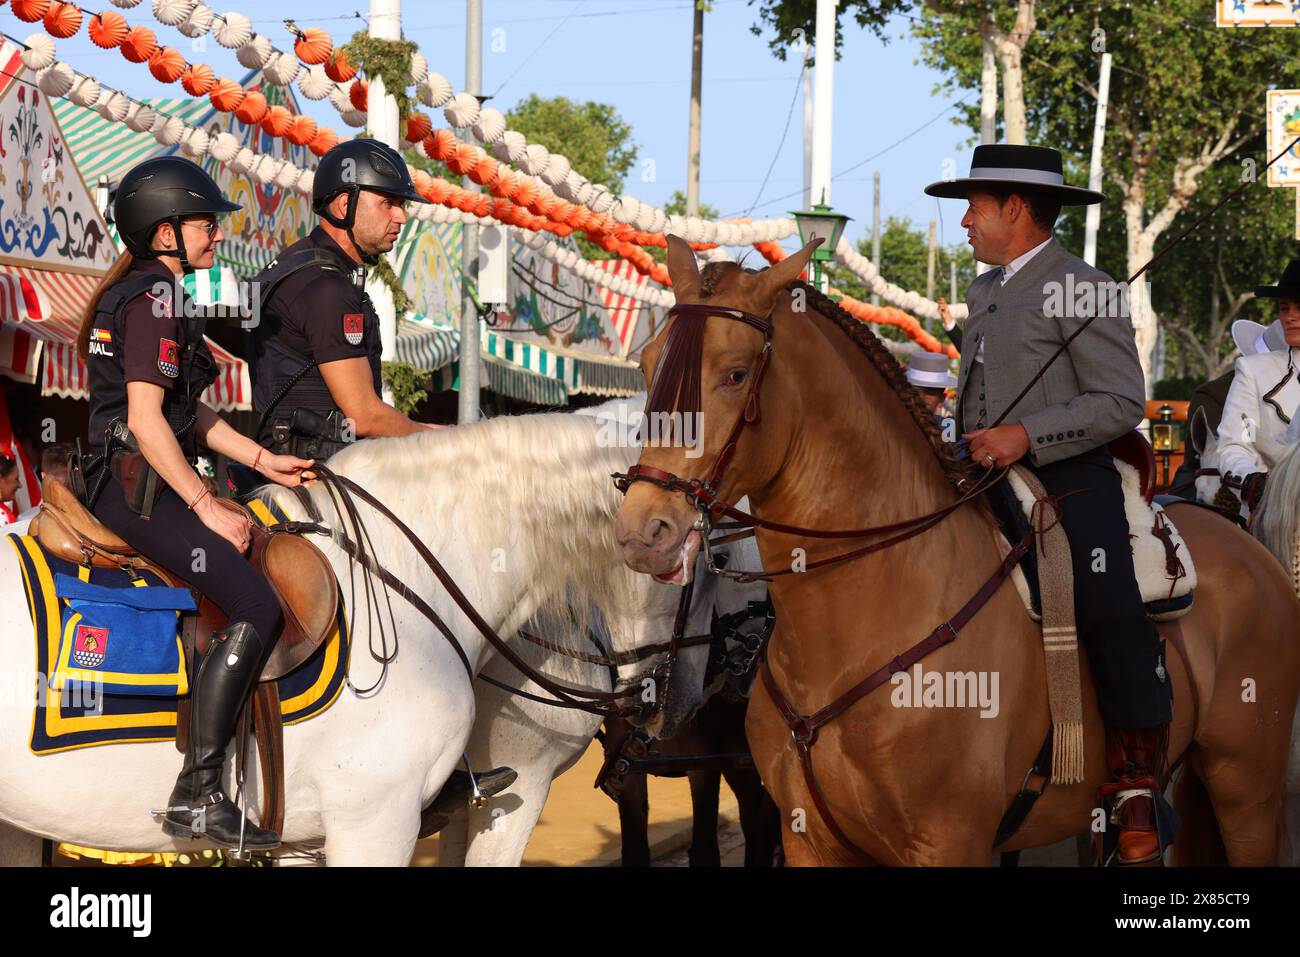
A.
x: 636, y: 55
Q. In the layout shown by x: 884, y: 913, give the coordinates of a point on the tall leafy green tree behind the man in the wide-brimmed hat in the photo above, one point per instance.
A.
x: 1185, y: 102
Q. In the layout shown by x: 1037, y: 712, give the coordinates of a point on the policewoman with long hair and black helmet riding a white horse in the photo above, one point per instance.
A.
x: 148, y: 366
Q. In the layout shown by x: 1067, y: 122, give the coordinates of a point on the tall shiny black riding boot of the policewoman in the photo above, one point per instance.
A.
x: 200, y: 808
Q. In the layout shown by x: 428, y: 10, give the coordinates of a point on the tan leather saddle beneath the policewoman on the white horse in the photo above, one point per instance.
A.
x: 298, y: 573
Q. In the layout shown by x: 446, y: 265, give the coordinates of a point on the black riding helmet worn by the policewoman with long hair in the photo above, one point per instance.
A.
x: 164, y: 190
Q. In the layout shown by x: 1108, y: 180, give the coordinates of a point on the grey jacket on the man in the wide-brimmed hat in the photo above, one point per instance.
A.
x: 1093, y: 395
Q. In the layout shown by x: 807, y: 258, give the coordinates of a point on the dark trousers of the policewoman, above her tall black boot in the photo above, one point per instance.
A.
x: 177, y: 540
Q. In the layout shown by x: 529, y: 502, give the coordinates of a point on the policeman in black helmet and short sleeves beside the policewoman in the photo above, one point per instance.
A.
x: 317, y: 348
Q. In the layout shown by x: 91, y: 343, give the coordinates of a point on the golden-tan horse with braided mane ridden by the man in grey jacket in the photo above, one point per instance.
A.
x: 837, y: 440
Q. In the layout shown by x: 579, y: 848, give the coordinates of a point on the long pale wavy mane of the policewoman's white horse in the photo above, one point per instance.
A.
x: 531, y: 495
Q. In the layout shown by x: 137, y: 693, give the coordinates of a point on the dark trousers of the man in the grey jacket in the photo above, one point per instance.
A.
x: 1124, y: 648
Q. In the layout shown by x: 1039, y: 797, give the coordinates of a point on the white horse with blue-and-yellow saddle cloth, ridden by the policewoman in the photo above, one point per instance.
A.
x: 521, y: 512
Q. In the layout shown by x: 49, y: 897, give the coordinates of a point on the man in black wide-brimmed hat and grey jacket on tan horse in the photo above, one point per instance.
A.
x: 1094, y: 393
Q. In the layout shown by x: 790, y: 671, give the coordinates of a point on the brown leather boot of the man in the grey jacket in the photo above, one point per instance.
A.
x: 1137, y: 759
